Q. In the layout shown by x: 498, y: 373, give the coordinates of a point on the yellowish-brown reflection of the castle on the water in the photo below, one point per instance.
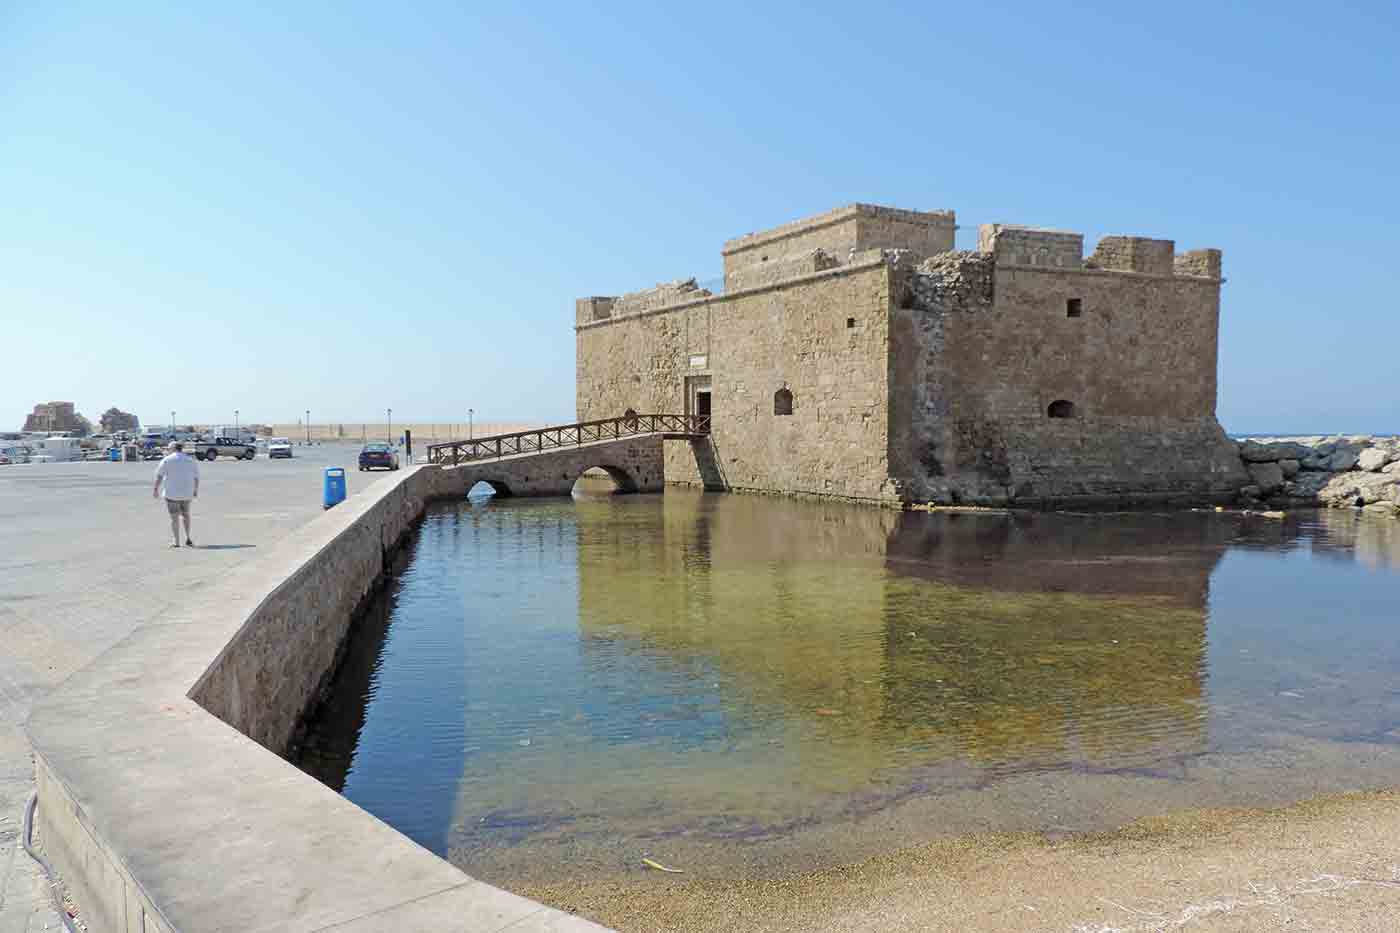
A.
x: 986, y: 638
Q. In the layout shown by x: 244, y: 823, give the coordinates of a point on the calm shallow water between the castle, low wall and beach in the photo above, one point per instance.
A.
x: 738, y: 684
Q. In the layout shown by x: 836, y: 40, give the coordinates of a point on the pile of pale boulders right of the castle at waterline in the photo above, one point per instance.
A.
x: 1338, y: 473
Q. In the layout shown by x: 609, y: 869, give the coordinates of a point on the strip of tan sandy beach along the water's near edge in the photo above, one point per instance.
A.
x: 1331, y: 864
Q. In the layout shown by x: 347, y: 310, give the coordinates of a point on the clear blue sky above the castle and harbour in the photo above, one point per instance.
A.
x: 348, y: 207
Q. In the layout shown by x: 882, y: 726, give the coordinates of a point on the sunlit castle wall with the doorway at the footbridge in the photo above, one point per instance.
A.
x: 821, y: 338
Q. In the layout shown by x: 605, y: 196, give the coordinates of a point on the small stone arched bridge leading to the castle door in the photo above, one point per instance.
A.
x: 636, y: 464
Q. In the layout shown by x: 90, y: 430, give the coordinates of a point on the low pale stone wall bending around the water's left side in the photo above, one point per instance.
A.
x: 163, y: 817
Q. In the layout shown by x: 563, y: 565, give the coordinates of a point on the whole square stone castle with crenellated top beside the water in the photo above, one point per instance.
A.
x: 859, y: 355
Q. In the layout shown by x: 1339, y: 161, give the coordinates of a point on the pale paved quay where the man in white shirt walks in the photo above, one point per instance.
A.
x: 85, y: 560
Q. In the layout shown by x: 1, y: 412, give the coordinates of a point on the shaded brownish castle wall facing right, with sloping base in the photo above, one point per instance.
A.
x: 985, y: 344
